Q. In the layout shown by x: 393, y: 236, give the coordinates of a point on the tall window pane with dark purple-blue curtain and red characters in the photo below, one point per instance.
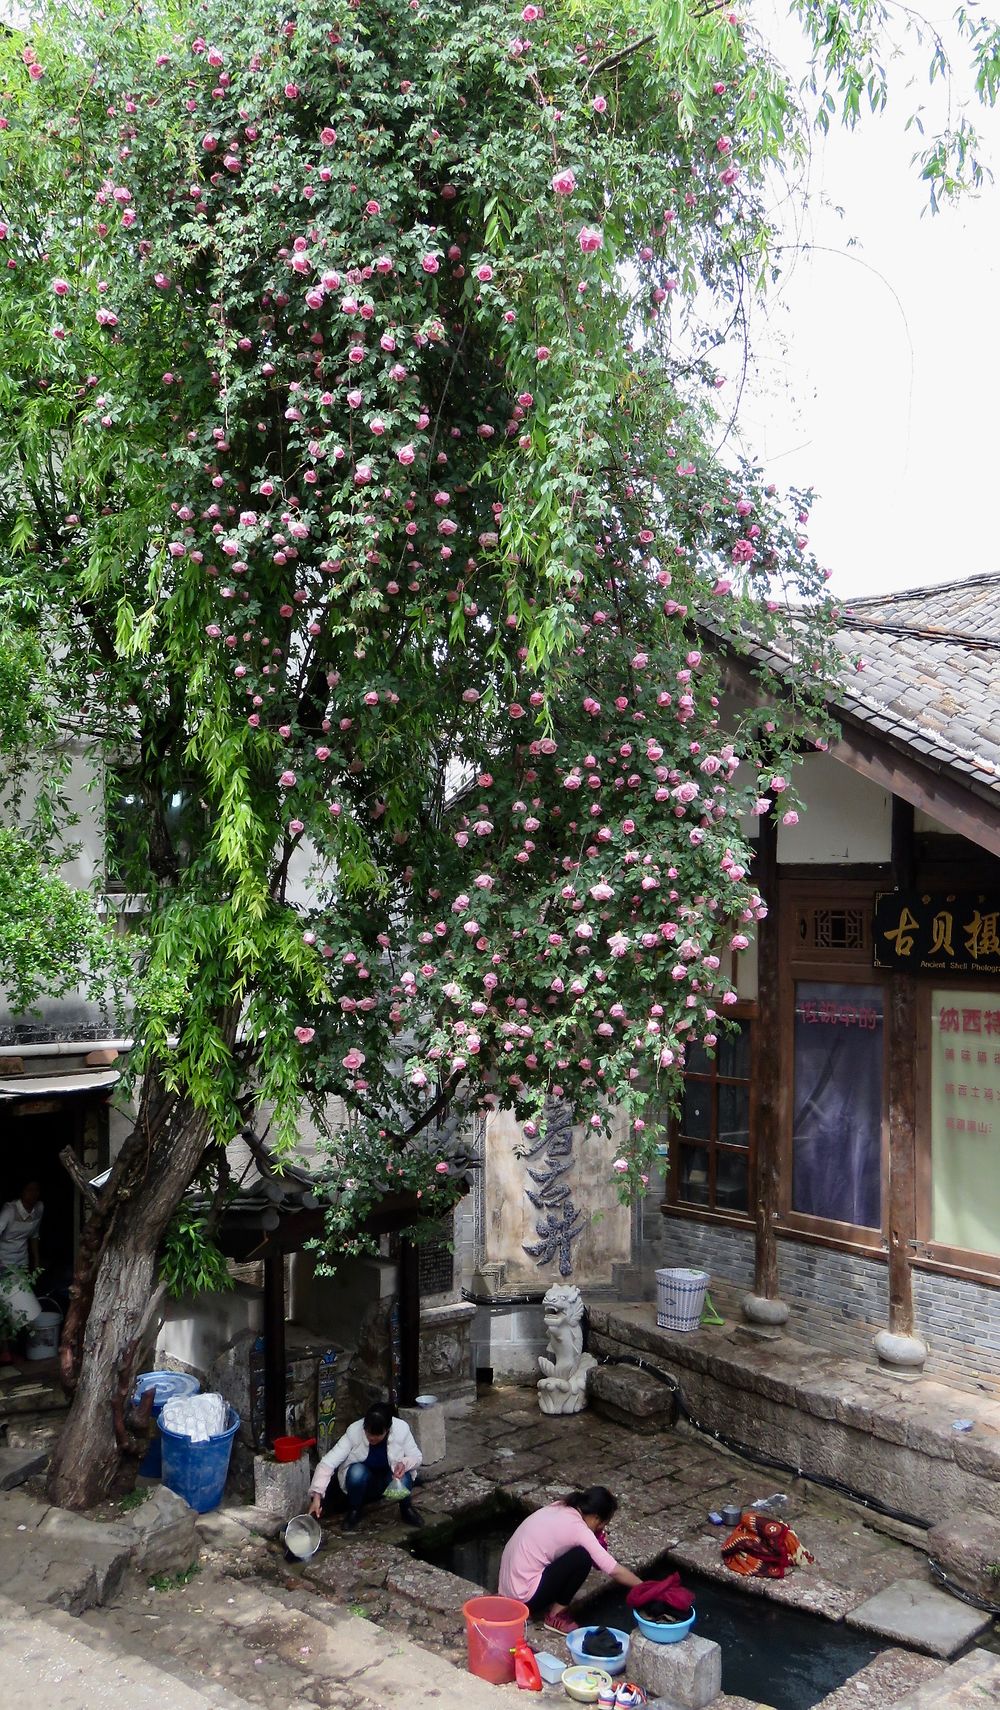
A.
x: 838, y: 1104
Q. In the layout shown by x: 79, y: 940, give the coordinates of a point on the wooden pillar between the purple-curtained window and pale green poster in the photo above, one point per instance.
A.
x: 902, y: 1049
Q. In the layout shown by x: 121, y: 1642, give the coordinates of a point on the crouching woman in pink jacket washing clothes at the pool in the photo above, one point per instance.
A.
x: 553, y: 1552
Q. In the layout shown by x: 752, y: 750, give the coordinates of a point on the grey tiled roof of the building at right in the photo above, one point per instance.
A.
x: 931, y: 676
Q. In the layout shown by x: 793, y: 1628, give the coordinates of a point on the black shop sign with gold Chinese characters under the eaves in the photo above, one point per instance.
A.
x: 938, y: 933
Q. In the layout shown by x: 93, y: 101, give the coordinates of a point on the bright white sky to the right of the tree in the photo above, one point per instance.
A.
x: 878, y: 362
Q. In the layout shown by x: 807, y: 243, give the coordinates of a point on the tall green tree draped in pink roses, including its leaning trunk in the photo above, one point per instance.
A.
x: 362, y: 504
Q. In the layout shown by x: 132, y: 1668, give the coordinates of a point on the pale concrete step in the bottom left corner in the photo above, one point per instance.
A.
x: 50, y: 1663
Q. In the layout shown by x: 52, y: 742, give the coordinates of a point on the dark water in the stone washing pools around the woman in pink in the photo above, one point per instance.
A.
x: 772, y: 1654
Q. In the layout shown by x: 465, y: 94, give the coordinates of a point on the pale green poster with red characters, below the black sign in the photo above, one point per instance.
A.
x: 965, y: 1119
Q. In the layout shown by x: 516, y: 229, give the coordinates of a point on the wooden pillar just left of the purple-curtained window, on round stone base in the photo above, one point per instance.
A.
x: 767, y: 1083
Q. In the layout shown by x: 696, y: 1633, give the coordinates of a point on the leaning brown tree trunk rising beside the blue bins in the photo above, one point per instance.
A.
x: 98, y: 1451
